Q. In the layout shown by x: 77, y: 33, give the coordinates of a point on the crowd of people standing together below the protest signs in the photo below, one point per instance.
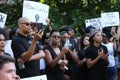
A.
x: 32, y: 51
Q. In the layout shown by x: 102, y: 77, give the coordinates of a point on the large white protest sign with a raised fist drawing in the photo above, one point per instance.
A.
x: 35, y: 11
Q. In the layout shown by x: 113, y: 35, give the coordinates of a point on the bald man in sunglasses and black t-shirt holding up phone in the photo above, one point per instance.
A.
x: 26, y: 50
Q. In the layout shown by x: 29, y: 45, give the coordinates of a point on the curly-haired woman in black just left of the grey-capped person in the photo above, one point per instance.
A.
x: 83, y: 71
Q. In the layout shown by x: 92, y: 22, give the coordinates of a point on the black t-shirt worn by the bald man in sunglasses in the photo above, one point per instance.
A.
x: 20, y: 44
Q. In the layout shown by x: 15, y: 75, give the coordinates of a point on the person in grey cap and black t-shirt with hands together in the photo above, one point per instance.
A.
x: 96, y: 57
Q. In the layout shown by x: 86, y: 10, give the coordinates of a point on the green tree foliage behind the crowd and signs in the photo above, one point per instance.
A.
x: 65, y: 12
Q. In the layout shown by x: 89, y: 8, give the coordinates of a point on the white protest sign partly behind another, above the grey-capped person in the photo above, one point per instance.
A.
x: 96, y: 22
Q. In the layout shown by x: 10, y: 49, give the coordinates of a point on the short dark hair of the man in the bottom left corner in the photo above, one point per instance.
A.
x: 5, y: 59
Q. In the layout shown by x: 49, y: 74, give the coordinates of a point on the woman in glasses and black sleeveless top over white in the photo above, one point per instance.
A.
x: 55, y: 63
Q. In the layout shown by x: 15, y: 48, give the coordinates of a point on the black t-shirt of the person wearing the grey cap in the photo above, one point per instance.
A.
x: 98, y: 71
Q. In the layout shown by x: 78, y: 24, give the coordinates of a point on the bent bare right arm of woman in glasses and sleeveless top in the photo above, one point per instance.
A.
x: 53, y: 62
